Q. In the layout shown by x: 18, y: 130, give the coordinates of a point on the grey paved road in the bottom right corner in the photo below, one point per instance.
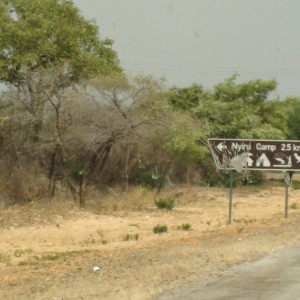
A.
x: 275, y: 277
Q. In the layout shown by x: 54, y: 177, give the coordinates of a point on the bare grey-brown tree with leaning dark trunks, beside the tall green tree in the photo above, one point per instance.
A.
x: 125, y: 112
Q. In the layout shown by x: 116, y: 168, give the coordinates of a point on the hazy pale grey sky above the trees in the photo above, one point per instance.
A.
x: 204, y: 41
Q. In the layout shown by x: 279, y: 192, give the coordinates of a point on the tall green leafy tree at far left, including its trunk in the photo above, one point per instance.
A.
x: 47, y: 50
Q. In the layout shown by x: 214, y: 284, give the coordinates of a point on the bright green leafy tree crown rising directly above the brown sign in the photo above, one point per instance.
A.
x: 243, y: 110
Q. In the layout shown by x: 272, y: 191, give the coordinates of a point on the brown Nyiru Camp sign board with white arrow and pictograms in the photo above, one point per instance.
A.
x: 255, y: 154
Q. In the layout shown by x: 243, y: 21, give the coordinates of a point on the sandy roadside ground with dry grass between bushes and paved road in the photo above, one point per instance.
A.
x: 49, y: 250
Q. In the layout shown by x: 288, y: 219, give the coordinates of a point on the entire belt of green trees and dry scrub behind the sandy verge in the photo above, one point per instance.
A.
x: 72, y: 122
